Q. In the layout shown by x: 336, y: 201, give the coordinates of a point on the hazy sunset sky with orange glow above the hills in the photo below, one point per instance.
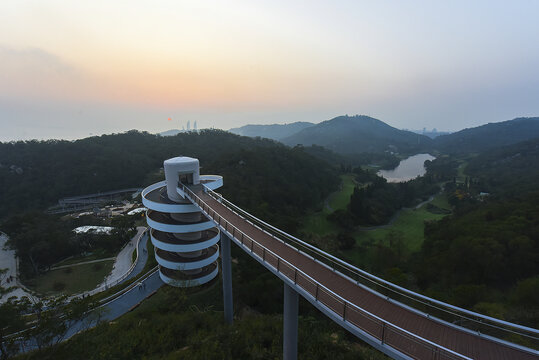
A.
x: 69, y: 69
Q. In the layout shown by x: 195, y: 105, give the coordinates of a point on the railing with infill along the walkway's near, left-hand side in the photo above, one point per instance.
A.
x: 378, y: 328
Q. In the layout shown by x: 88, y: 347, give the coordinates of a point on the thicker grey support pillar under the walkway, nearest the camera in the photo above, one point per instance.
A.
x: 290, y: 323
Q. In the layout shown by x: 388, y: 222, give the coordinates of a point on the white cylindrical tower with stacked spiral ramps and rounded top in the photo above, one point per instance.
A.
x: 185, y: 240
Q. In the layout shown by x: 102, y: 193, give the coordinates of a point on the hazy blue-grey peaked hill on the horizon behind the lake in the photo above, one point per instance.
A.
x: 356, y: 134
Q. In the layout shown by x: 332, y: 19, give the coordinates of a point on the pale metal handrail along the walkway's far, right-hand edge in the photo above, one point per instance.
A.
x: 384, y: 283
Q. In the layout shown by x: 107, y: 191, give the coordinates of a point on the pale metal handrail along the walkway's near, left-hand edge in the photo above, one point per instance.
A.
x: 197, y: 200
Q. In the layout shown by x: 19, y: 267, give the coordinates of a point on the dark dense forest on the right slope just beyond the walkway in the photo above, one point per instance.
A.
x: 486, y: 255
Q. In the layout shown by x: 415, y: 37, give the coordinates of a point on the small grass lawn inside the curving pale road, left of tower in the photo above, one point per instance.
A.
x: 71, y: 280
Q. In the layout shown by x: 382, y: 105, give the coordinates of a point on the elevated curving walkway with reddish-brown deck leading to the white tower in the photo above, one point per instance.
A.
x: 389, y: 325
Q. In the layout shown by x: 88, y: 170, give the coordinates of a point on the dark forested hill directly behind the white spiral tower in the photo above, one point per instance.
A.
x: 263, y: 175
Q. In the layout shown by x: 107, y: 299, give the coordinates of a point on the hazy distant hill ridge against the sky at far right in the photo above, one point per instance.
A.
x: 489, y: 136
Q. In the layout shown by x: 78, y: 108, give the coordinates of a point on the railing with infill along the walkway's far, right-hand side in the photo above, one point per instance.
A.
x: 474, y: 321
